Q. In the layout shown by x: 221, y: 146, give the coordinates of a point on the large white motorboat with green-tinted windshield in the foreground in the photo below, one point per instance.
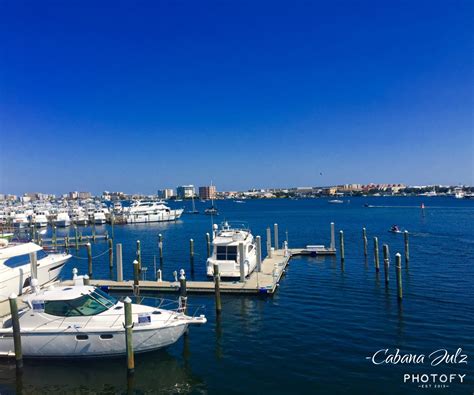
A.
x: 82, y: 321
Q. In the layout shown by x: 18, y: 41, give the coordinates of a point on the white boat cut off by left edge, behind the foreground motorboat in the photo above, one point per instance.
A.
x: 15, y: 267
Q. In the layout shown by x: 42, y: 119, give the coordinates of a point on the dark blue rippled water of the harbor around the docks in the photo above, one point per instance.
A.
x: 314, y: 334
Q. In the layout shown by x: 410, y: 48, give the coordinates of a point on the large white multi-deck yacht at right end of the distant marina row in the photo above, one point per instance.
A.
x: 148, y: 211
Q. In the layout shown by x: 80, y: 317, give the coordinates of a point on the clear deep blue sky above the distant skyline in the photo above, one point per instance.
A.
x: 140, y: 95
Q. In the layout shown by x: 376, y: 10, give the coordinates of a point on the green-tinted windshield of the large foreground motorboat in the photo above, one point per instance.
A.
x: 91, y: 304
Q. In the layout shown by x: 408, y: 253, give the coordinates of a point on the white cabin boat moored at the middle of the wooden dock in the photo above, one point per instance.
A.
x: 226, y: 240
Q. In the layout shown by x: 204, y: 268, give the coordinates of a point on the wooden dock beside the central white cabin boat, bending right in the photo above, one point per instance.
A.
x: 263, y: 282
